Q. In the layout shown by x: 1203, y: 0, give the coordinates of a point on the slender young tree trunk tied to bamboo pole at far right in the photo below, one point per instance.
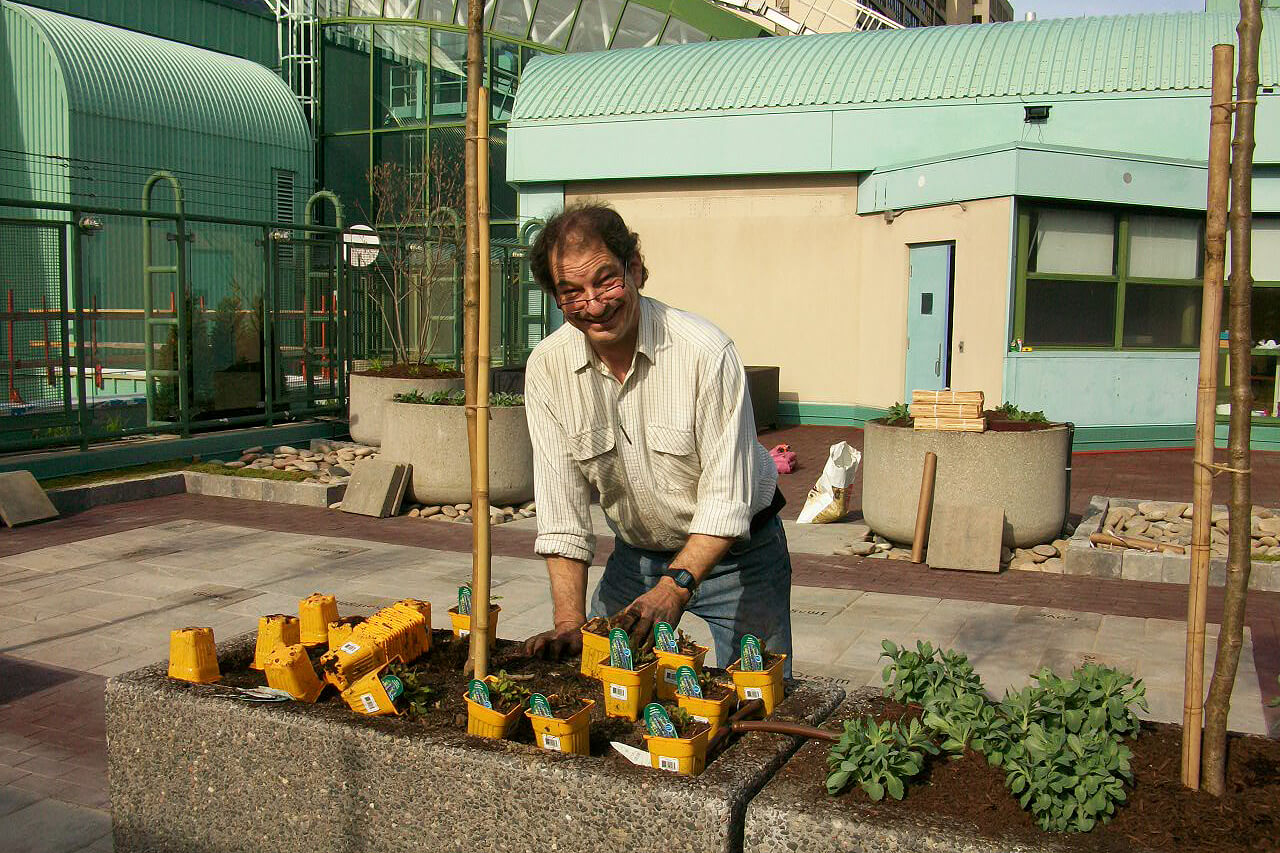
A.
x: 1232, y: 633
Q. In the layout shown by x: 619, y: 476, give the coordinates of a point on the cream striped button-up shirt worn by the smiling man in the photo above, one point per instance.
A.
x: 671, y: 450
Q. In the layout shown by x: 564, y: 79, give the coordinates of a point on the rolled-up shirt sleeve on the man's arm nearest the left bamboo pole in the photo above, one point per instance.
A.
x: 563, y: 494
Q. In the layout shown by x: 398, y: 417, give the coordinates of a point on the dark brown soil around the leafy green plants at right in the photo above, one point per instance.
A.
x: 1162, y: 814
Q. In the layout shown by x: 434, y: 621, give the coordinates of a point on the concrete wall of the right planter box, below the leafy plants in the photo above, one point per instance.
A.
x: 785, y: 816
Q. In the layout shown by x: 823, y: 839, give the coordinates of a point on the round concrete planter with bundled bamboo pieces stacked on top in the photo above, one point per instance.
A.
x: 1025, y: 473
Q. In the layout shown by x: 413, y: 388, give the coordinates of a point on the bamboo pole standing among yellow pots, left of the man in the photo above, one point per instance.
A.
x: 481, y: 469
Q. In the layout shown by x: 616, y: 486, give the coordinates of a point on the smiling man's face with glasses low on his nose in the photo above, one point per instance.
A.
x: 597, y: 293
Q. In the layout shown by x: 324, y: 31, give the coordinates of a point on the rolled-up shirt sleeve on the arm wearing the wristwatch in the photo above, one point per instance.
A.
x: 726, y: 441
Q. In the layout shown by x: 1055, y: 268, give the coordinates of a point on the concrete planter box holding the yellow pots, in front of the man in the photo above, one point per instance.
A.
x: 193, y: 770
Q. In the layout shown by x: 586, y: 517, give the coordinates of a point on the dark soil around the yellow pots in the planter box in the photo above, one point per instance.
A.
x: 442, y: 670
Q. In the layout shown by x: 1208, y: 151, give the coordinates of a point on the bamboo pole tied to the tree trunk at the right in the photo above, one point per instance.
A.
x: 1206, y: 407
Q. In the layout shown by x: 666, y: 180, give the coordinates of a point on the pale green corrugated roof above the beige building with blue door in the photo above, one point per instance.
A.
x: 1040, y: 58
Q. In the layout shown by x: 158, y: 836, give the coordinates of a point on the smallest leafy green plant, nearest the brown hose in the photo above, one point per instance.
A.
x: 881, y: 758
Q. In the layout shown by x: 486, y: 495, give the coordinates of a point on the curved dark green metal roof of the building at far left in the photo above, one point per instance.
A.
x: 118, y: 74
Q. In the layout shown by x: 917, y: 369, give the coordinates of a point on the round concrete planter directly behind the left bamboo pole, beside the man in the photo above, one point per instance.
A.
x: 435, y: 441
